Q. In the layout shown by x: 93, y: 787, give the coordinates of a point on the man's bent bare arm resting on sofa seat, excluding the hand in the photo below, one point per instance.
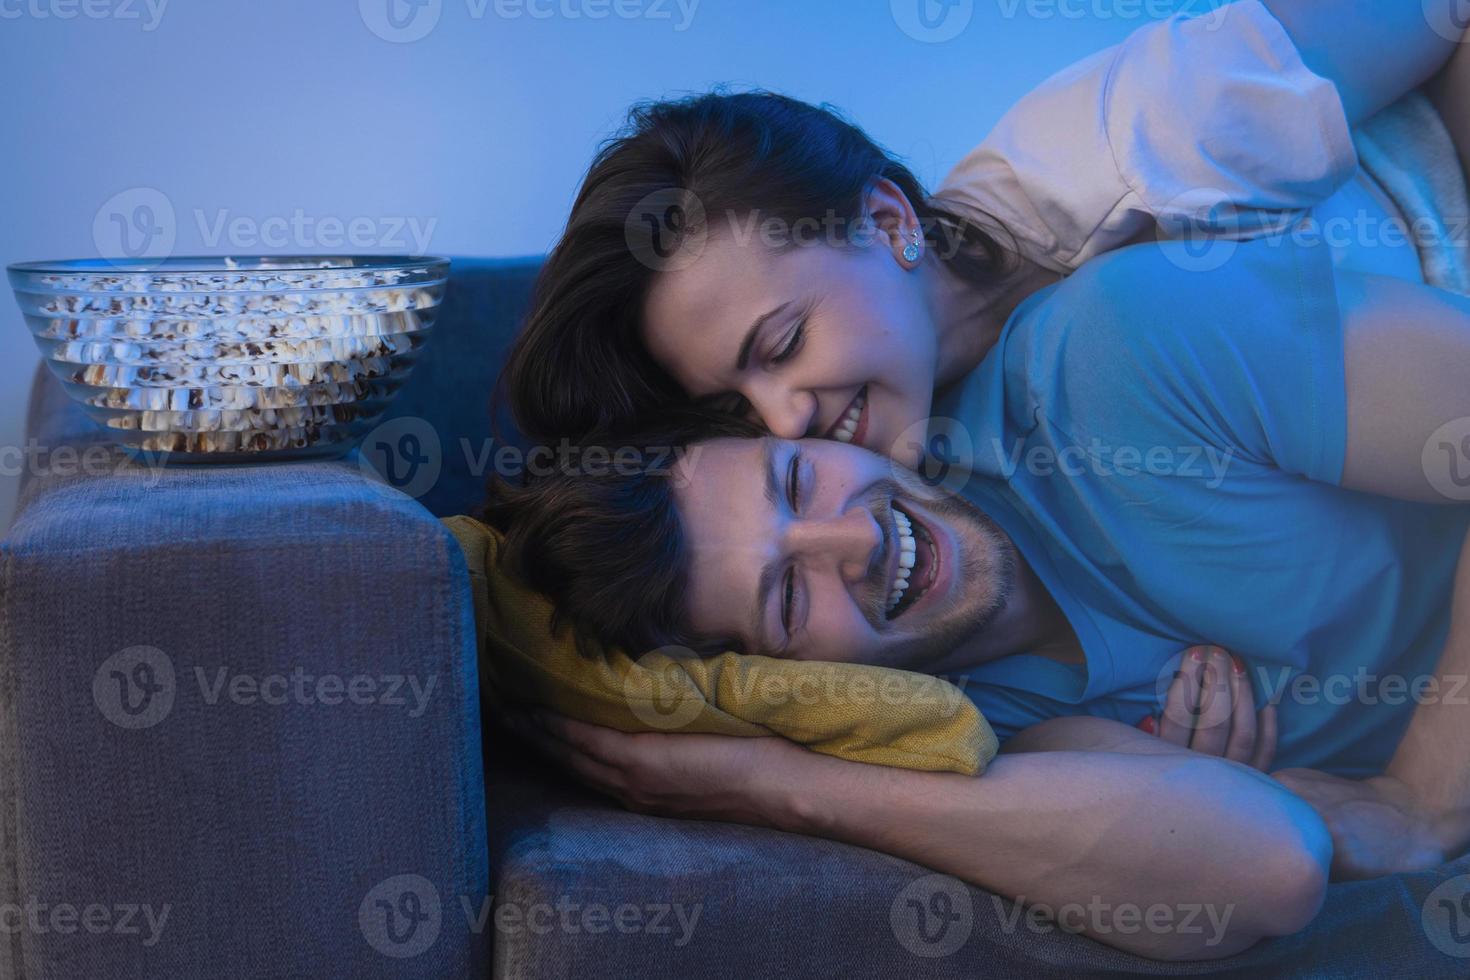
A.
x: 1114, y: 834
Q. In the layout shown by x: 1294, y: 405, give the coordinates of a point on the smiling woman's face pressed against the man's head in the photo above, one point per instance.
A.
x: 824, y: 340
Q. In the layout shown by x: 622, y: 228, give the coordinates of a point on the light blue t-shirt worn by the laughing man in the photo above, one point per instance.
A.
x: 1165, y: 449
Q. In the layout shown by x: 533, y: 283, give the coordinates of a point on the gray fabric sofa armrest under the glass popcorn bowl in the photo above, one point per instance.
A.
x: 239, y: 728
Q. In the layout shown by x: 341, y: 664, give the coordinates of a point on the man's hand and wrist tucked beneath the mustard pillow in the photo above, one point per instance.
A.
x: 742, y: 779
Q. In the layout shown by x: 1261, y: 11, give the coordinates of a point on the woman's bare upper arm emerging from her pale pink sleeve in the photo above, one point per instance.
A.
x: 1372, y: 51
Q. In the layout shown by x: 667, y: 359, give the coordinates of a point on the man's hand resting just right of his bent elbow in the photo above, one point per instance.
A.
x: 1378, y: 825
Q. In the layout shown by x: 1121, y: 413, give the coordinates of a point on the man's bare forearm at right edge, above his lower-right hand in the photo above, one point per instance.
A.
x: 1431, y: 759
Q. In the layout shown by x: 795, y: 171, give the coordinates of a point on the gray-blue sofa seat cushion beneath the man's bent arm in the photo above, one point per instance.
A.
x: 752, y: 903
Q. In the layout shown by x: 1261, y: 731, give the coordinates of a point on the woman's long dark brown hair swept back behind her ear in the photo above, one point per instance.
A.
x: 580, y: 365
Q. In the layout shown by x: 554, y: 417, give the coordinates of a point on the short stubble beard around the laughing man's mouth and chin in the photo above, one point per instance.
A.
x: 987, y: 575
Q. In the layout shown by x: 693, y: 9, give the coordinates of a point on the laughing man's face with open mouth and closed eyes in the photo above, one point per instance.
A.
x: 818, y: 550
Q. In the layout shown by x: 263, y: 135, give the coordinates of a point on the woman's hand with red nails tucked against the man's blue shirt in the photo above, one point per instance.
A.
x: 1212, y: 709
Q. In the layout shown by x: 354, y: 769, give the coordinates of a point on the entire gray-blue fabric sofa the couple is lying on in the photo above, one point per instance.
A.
x: 193, y: 787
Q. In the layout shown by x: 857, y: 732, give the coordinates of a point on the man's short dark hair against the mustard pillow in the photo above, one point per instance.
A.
x: 605, y: 543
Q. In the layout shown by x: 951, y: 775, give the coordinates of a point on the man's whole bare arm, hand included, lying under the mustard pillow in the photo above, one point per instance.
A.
x: 1124, y: 837
